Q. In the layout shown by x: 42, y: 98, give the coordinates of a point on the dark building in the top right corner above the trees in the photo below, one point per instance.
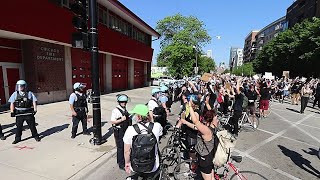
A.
x: 302, y: 9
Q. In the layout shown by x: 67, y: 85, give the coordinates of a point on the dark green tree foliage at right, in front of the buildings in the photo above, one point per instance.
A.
x: 296, y: 50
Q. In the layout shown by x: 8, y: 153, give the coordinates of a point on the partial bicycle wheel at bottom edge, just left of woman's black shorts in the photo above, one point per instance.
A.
x: 183, y: 171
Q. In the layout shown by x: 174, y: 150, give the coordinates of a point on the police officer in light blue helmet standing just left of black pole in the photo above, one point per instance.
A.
x: 79, y: 109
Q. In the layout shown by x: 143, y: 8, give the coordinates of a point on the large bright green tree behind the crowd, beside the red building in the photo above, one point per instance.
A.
x: 179, y: 34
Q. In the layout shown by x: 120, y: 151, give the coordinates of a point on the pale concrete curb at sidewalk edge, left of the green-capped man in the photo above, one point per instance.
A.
x: 93, y: 166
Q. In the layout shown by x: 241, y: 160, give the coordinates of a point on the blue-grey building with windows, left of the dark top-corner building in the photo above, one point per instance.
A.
x: 269, y: 32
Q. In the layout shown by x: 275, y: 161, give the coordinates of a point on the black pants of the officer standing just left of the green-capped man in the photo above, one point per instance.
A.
x: 118, y: 135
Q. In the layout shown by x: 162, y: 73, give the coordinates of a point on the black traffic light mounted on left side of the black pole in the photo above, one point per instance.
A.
x: 80, y: 22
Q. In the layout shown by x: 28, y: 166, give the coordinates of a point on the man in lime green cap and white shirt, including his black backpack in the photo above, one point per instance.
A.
x: 141, y: 151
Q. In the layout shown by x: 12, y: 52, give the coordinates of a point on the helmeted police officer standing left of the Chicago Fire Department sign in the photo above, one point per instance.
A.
x: 23, y: 106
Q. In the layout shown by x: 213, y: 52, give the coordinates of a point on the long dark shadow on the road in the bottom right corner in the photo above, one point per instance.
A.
x: 300, y: 161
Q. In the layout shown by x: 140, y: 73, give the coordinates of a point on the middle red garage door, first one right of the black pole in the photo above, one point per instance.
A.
x: 119, y: 73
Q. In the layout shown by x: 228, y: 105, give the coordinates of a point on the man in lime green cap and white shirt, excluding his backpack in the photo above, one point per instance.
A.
x: 141, y: 113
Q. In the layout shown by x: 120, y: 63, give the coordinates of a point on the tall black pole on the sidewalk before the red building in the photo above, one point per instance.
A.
x: 93, y: 33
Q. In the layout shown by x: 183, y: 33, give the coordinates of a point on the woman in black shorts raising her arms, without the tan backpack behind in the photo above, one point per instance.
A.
x: 206, y: 143
